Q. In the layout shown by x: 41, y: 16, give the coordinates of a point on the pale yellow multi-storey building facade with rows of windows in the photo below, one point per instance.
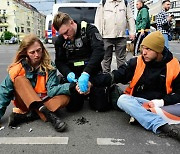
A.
x: 21, y: 18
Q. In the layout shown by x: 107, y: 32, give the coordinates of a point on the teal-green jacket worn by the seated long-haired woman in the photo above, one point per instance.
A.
x: 52, y: 85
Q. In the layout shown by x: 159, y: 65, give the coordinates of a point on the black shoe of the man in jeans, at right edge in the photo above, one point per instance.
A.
x: 171, y: 130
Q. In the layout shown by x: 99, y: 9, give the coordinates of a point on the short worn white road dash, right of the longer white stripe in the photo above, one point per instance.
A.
x: 110, y: 141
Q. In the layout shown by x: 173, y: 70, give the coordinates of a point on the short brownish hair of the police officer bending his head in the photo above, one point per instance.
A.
x: 59, y: 19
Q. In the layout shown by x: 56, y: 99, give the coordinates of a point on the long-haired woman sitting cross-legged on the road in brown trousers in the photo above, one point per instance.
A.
x: 33, y: 86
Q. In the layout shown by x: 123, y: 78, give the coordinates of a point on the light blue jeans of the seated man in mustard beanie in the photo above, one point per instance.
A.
x: 133, y: 106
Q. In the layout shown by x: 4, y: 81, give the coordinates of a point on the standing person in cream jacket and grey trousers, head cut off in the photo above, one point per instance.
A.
x: 112, y: 18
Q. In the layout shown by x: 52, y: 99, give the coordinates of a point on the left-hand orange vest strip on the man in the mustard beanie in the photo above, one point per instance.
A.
x: 137, y: 74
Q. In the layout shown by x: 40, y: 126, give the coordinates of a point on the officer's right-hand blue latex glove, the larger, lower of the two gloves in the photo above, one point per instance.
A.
x: 83, y: 82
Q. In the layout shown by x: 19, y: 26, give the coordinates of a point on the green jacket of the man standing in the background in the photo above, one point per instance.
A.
x: 142, y: 19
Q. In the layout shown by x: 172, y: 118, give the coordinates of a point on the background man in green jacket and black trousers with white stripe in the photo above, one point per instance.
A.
x: 142, y: 24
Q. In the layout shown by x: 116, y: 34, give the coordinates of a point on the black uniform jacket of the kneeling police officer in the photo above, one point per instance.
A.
x: 94, y: 48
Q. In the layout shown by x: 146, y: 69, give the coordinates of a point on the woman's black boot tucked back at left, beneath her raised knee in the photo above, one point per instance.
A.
x: 15, y: 118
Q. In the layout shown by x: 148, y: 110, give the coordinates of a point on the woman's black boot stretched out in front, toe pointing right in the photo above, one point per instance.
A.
x: 51, y: 117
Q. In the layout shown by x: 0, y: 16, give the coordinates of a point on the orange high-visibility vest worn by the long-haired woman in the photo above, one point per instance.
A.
x: 40, y: 87
